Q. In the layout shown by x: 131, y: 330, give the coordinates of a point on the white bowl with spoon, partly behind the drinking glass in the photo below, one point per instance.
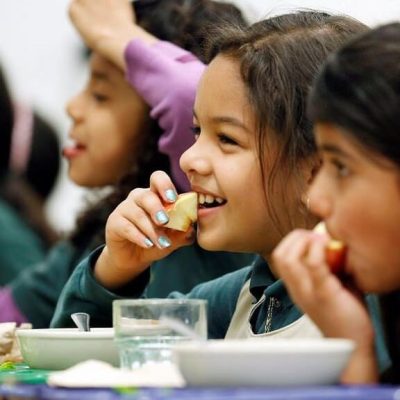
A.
x: 56, y: 349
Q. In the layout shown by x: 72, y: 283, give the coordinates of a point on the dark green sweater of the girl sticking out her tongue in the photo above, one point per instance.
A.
x: 36, y: 290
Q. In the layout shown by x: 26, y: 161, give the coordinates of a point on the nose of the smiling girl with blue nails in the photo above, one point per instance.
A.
x: 194, y: 160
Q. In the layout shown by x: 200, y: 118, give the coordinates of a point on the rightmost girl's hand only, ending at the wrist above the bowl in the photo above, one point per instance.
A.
x: 300, y: 261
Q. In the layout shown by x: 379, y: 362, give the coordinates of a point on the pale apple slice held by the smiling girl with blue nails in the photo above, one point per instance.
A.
x: 183, y: 213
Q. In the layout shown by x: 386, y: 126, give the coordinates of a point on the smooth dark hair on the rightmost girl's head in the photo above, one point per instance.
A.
x: 359, y: 90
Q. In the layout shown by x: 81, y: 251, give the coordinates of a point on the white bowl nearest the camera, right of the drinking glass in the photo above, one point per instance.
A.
x: 258, y: 362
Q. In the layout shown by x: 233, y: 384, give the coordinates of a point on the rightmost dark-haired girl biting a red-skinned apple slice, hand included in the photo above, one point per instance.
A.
x: 354, y: 105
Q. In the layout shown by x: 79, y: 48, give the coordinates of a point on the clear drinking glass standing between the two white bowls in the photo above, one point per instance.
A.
x: 141, y: 335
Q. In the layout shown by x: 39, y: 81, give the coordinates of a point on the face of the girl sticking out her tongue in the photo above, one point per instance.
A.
x: 108, y: 118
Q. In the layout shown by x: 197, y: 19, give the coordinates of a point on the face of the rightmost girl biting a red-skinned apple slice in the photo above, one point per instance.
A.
x: 358, y: 196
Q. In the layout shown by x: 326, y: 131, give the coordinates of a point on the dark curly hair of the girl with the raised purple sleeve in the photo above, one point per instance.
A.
x: 185, y: 23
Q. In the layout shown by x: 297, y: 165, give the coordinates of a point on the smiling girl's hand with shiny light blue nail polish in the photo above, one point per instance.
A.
x: 135, y: 233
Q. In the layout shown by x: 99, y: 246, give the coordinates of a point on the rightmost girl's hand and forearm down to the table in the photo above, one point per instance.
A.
x: 337, y: 307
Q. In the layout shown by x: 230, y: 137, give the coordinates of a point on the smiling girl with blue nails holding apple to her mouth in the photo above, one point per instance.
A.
x: 251, y: 165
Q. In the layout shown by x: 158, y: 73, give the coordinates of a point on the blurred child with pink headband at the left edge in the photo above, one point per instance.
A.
x: 29, y: 167
